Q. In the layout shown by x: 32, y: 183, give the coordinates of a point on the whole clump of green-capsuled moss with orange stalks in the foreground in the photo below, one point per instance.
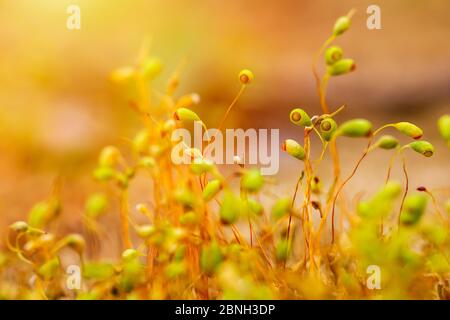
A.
x: 201, y: 232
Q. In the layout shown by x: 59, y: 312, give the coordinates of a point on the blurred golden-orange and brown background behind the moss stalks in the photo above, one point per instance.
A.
x: 58, y: 107
